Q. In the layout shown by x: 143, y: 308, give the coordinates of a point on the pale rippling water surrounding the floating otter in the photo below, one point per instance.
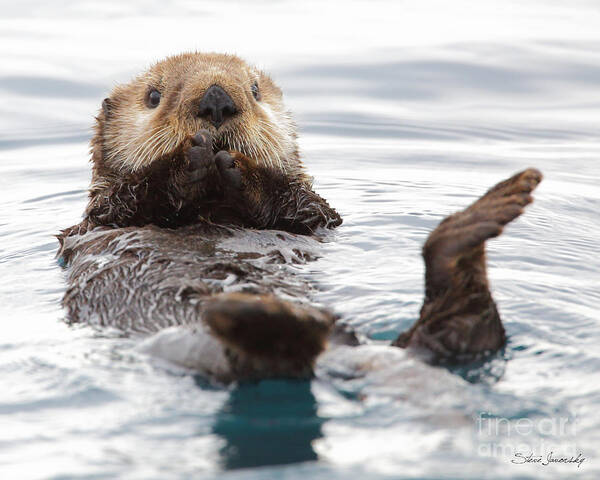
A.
x: 407, y: 112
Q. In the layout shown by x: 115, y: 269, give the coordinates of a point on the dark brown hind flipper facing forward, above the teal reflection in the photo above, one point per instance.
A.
x: 267, y: 336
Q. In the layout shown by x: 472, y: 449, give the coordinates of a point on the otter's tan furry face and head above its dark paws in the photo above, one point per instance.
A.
x: 155, y: 114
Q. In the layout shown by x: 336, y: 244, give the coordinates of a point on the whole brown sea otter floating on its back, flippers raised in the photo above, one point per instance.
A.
x: 199, y: 200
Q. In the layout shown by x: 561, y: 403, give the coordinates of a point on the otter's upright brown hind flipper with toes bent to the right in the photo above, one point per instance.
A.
x: 459, y: 319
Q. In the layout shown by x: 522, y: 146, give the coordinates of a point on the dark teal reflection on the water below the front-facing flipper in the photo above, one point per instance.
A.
x: 272, y: 422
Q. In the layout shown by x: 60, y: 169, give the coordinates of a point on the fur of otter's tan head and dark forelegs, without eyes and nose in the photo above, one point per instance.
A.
x: 146, y: 165
